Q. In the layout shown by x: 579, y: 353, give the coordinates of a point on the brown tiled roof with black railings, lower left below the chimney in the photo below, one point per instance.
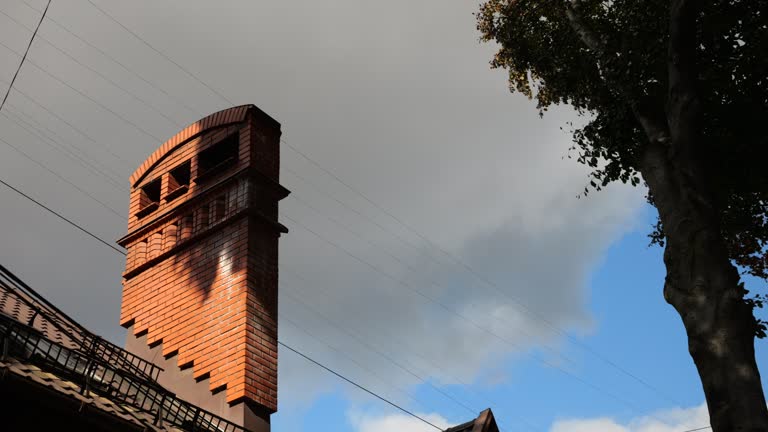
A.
x: 43, y: 348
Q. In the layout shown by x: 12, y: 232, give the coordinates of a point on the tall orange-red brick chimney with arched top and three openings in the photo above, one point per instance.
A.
x: 200, y: 281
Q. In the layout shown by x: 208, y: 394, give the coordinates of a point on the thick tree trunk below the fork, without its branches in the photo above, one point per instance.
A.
x: 703, y: 286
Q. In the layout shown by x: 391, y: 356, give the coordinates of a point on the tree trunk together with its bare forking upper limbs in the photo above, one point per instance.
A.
x: 701, y: 283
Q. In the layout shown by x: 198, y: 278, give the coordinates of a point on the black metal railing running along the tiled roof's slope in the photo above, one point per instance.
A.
x: 96, y: 365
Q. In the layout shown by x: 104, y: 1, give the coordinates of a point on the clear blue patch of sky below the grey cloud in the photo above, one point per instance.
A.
x: 634, y: 329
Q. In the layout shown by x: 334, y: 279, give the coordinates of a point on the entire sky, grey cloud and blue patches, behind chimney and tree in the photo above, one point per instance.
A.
x: 438, y: 253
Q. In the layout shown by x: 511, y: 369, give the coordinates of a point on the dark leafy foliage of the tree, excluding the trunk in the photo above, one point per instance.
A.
x: 548, y: 61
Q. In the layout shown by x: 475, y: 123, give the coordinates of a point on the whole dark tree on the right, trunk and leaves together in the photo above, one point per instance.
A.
x: 675, y: 94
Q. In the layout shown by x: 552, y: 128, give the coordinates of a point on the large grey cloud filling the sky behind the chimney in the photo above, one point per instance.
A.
x: 397, y: 99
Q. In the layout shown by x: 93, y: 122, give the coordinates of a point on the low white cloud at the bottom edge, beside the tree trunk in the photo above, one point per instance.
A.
x: 671, y: 420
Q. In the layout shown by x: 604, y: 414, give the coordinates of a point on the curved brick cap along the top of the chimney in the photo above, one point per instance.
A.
x: 218, y: 119
